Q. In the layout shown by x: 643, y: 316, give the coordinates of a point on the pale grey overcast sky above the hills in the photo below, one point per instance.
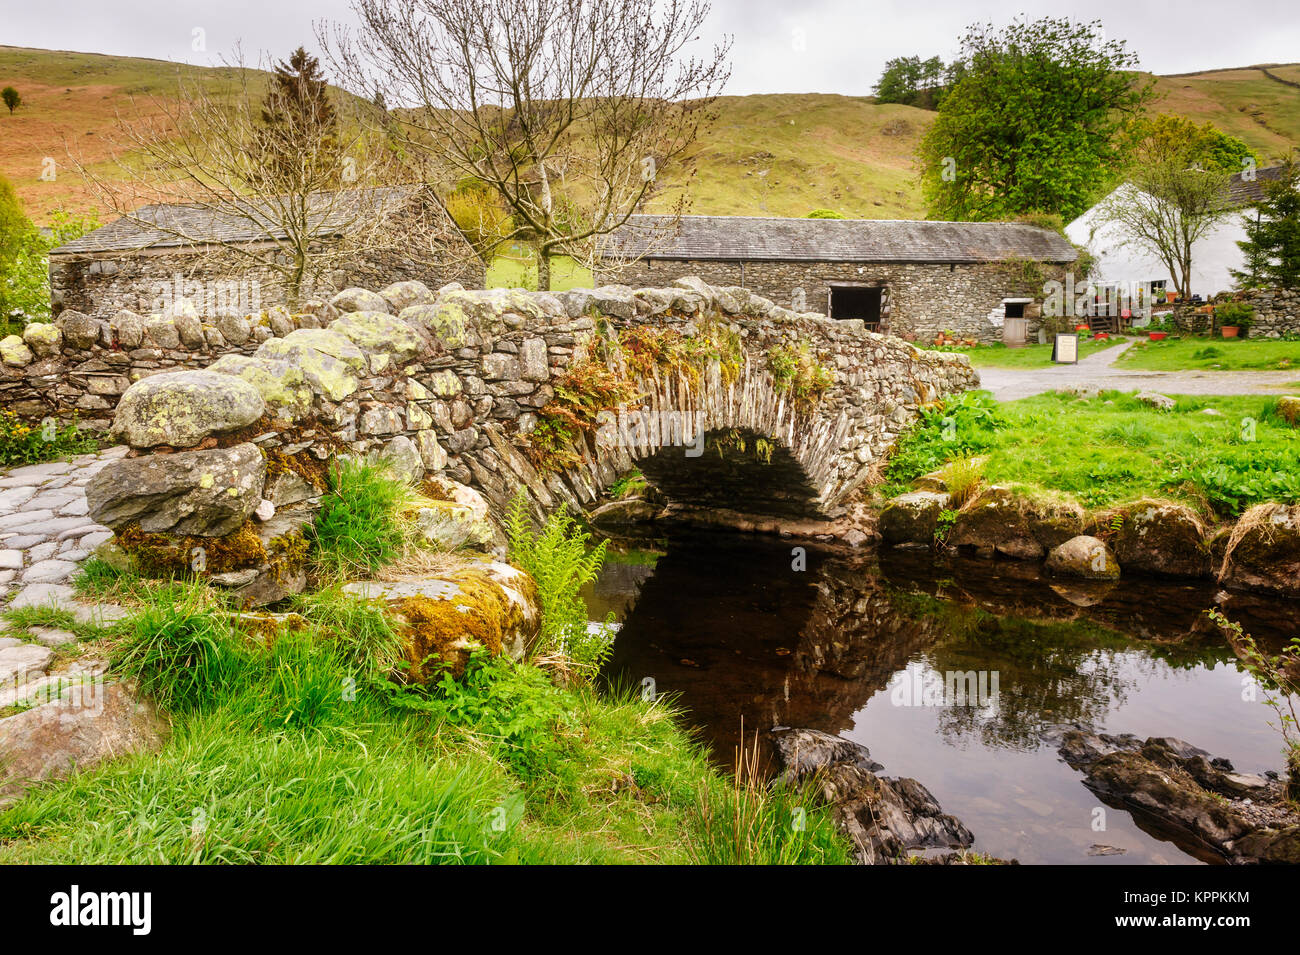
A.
x: 781, y: 46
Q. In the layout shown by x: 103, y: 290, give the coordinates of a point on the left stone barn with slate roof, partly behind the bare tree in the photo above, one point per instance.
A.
x: 159, y: 254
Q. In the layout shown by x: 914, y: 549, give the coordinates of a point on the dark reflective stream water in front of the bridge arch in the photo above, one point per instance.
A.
x: 742, y: 637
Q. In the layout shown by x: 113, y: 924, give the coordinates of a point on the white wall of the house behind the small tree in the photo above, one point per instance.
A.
x: 1124, y: 261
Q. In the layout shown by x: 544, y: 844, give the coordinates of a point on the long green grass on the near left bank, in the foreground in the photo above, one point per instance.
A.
x: 288, y: 750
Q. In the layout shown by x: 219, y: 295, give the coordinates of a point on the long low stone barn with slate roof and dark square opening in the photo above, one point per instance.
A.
x: 903, y: 277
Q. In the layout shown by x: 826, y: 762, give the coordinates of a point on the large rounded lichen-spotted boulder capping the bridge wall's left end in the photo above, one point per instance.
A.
x: 183, y: 409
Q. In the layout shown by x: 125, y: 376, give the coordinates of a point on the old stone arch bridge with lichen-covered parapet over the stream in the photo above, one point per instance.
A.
x: 721, y: 398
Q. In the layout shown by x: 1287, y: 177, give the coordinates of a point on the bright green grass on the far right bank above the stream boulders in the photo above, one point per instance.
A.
x: 1113, y: 449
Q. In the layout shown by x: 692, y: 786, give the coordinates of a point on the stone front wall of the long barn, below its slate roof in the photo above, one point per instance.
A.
x: 924, y: 299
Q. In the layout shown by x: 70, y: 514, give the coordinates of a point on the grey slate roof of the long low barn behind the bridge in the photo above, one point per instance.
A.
x: 752, y: 238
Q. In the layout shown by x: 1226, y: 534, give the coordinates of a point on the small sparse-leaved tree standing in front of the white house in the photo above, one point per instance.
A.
x: 1178, y: 180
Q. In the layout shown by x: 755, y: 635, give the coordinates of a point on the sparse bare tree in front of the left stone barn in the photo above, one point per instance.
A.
x: 246, y: 185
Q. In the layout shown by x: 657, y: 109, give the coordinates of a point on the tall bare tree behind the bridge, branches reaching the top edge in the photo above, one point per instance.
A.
x: 569, y: 110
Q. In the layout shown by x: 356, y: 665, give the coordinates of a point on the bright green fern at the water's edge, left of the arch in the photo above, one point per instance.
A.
x: 560, y: 561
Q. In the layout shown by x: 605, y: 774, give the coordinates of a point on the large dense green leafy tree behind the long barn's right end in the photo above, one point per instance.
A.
x: 1034, y: 123
